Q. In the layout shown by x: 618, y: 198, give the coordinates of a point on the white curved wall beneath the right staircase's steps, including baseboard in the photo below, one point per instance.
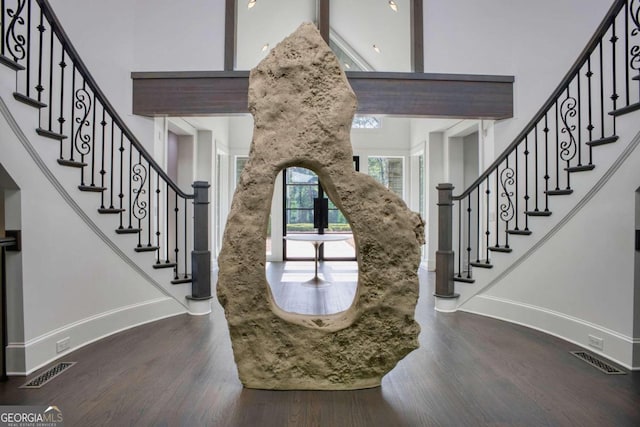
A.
x: 578, y: 279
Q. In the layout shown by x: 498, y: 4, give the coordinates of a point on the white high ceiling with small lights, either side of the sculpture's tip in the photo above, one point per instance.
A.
x: 360, y: 24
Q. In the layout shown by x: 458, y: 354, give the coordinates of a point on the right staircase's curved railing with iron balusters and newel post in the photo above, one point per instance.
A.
x: 538, y: 165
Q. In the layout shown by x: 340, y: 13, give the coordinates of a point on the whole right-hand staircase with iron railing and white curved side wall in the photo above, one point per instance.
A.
x: 568, y: 155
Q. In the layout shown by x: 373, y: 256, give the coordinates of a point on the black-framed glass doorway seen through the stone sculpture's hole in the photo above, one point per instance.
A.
x: 308, y: 210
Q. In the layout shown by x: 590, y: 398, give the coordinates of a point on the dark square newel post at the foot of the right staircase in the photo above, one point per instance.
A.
x: 444, y: 253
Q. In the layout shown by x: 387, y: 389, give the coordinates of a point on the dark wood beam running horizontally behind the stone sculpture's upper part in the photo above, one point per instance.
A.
x: 403, y: 94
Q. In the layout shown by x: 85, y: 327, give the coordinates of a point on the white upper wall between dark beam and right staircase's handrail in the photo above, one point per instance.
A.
x: 535, y: 41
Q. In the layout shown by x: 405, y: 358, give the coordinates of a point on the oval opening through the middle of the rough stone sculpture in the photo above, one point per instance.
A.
x: 318, y: 274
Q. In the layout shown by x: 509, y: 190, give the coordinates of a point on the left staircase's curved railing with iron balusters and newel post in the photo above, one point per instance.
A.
x: 93, y: 138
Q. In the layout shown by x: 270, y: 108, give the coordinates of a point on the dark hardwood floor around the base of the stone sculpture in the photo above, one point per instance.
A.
x: 469, y: 371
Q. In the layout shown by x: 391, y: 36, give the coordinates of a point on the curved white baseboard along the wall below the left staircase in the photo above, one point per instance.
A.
x: 25, y: 358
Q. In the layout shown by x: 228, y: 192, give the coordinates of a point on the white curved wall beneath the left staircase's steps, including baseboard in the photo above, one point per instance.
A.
x: 66, y: 281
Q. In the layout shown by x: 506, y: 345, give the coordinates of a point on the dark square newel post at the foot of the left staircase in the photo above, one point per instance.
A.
x: 201, y: 255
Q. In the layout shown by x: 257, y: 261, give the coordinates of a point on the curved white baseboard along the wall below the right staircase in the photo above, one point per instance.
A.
x: 617, y: 347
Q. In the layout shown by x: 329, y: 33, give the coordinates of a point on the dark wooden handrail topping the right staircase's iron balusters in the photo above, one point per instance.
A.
x: 575, y: 68
